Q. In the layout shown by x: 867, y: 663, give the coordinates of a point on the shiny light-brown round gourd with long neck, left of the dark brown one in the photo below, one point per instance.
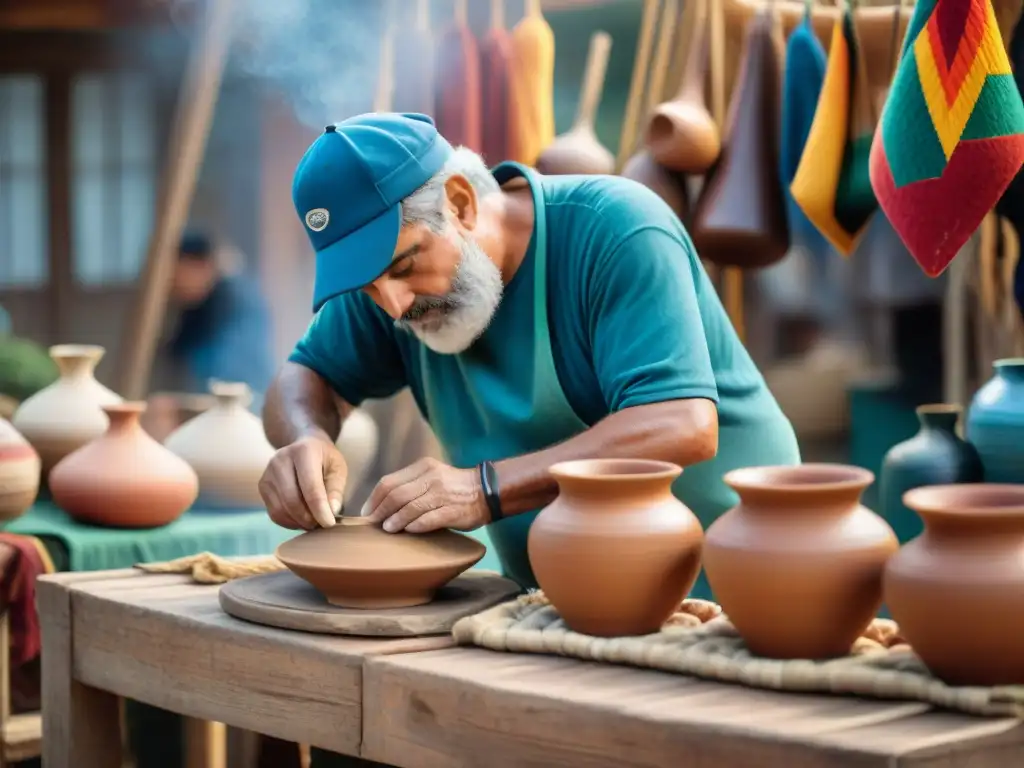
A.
x: 682, y: 136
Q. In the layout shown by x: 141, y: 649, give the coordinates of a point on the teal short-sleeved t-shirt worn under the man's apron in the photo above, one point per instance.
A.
x: 634, y: 320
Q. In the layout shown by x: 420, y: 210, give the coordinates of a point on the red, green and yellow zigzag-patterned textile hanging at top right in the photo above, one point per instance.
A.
x: 952, y: 136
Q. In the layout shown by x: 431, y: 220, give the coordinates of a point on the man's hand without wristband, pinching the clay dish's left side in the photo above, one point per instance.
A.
x: 305, y: 485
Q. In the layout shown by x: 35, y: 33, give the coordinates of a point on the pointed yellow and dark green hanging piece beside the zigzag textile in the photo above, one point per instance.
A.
x: 832, y: 185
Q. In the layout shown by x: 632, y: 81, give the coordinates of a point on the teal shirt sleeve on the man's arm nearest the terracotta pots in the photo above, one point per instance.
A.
x: 648, y: 339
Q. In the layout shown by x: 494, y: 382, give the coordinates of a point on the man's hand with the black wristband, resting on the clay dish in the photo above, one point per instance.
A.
x: 429, y: 496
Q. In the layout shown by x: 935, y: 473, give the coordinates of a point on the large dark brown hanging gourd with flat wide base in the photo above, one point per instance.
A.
x: 741, y: 217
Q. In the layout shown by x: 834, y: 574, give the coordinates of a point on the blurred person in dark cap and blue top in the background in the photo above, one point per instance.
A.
x: 222, y: 330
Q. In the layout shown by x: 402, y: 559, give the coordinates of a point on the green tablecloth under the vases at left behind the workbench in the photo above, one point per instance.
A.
x: 93, y: 548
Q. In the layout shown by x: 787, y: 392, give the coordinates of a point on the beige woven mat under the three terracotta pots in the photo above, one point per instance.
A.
x: 700, y: 642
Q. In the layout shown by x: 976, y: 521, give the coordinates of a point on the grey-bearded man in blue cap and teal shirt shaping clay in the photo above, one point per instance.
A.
x: 536, y: 320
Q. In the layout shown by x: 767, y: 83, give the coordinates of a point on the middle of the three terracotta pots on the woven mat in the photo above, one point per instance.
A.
x: 797, y: 566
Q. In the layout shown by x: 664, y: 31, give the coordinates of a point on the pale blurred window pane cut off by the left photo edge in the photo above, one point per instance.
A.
x: 24, y: 221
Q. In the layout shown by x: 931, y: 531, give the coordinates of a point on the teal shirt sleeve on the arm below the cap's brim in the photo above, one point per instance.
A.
x: 352, y: 345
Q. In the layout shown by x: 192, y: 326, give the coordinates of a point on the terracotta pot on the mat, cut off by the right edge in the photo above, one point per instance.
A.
x: 958, y: 590
